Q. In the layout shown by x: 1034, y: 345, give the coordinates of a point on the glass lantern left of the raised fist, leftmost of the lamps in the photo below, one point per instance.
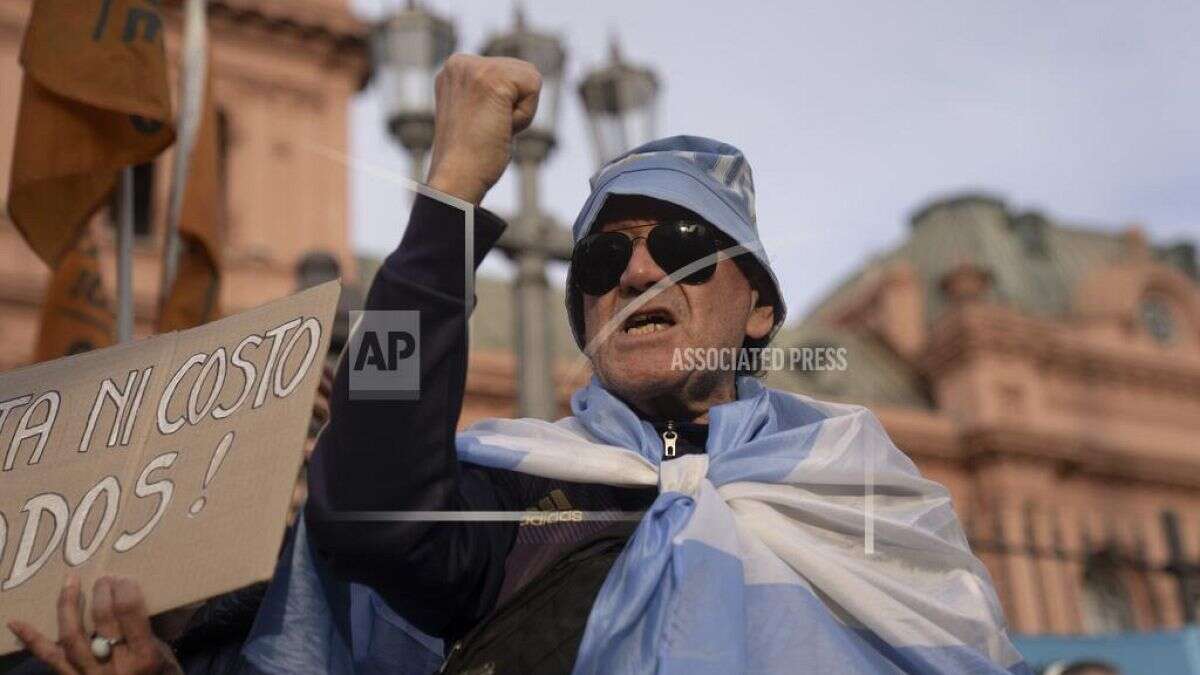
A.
x: 407, y: 50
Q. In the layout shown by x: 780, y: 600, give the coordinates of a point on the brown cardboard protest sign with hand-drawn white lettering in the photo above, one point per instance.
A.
x: 171, y: 459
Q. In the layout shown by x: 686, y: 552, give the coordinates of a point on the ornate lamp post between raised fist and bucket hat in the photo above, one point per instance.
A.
x: 533, y: 237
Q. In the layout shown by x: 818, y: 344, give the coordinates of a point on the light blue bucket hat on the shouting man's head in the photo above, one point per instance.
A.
x: 707, y: 177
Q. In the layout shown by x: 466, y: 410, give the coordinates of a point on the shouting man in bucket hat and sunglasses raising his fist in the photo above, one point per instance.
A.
x: 668, y: 258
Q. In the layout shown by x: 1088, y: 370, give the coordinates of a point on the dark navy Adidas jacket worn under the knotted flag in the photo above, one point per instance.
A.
x: 400, y: 456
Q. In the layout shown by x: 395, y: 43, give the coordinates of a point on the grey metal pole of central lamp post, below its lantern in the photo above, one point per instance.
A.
x: 536, y: 381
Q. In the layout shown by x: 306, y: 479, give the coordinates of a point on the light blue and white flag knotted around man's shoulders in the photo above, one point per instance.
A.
x: 803, y: 541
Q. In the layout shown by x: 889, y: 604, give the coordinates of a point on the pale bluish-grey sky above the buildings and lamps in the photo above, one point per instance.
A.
x: 855, y: 115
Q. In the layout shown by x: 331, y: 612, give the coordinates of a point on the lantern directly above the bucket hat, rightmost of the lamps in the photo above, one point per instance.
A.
x: 622, y: 101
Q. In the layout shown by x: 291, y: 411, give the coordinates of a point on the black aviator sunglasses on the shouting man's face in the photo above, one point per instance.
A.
x: 601, y: 259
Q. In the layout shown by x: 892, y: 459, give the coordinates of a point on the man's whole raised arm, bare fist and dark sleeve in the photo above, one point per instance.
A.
x: 400, y: 456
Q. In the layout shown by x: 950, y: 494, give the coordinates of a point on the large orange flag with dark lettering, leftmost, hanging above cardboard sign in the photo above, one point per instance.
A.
x: 94, y: 100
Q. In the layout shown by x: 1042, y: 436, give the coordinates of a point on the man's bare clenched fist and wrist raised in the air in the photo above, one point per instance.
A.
x: 482, y: 103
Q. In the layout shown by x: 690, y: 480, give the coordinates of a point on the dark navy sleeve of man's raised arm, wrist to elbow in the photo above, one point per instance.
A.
x: 400, y: 456
